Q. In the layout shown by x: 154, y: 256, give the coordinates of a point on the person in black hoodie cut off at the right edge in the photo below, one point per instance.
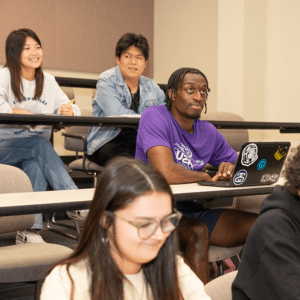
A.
x: 270, y: 267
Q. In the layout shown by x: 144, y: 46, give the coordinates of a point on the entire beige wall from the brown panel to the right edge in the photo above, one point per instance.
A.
x: 249, y: 50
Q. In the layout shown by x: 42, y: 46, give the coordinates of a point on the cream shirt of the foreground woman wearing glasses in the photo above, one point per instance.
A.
x: 57, y: 284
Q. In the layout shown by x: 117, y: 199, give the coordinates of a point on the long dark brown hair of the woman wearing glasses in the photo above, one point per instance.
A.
x: 122, y: 181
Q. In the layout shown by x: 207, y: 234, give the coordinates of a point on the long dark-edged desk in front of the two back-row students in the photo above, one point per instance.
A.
x: 133, y: 121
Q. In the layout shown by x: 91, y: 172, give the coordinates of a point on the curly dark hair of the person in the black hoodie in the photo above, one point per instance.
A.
x: 292, y: 173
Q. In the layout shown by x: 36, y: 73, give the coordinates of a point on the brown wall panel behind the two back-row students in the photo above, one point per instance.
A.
x: 79, y: 35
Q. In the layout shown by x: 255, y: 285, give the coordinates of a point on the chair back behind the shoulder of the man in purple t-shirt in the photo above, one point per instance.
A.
x: 234, y: 137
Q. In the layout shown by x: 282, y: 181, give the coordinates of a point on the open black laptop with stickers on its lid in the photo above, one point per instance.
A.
x: 258, y: 164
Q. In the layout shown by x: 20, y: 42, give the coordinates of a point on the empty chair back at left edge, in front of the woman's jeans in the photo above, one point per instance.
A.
x: 14, y: 180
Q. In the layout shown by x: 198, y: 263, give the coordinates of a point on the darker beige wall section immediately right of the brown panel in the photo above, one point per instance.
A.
x: 186, y: 35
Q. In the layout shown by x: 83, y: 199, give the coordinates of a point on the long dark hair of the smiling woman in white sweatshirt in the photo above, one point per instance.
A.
x: 13, y: 48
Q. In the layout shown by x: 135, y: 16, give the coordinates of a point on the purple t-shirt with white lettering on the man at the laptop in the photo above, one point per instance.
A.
x: 193, y: 151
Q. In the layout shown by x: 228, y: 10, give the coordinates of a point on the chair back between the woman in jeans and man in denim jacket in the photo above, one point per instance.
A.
x: 74, y: 144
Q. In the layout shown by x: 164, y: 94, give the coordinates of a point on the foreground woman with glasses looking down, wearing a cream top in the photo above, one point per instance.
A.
x: 128, y: 246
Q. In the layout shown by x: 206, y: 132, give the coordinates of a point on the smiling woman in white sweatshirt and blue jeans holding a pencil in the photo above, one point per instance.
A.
x: 25, y: 89
